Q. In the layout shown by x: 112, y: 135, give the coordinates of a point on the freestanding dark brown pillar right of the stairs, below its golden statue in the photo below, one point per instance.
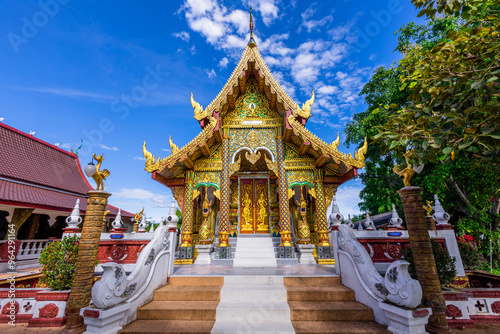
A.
x: 425, y: 264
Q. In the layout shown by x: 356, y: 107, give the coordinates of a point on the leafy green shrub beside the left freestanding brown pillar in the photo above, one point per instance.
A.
x: 59, y: 261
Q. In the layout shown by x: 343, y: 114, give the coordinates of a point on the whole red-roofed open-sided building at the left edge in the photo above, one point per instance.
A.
x: 39, y: 185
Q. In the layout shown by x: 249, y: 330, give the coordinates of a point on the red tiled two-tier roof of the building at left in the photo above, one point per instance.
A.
x: 34, y: 173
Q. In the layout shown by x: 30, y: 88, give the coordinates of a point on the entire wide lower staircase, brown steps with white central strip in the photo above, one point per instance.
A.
x: 254, y: 304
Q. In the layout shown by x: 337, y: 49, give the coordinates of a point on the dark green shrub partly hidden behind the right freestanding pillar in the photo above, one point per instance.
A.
x: 445, y: 264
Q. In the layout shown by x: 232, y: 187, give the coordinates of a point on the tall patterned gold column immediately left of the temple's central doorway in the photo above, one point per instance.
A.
x: 224, y: 248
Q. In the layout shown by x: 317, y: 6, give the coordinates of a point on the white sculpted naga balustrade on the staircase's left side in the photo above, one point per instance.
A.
x: 117, y: 296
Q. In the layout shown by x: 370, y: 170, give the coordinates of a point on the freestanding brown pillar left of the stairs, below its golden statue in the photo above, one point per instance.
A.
x: 86, y: 260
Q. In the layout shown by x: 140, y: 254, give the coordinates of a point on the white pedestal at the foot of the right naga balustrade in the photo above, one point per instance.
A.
x: 403, y: 321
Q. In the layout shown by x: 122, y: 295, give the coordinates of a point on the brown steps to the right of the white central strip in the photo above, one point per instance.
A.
x: 323, y: 305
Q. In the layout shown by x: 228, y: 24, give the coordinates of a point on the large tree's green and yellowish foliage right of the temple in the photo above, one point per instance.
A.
x: 442, y: 100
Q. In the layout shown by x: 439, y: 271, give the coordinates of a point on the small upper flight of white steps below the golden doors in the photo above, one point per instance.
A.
x: 255, y: 252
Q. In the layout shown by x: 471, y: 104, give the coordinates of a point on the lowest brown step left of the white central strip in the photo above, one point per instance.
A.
x: 168, y: 326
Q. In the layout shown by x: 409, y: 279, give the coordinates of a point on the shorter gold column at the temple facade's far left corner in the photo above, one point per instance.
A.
x: 186, y: 248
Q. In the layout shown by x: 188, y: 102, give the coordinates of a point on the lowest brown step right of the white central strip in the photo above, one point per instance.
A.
x: 351, y: 327
